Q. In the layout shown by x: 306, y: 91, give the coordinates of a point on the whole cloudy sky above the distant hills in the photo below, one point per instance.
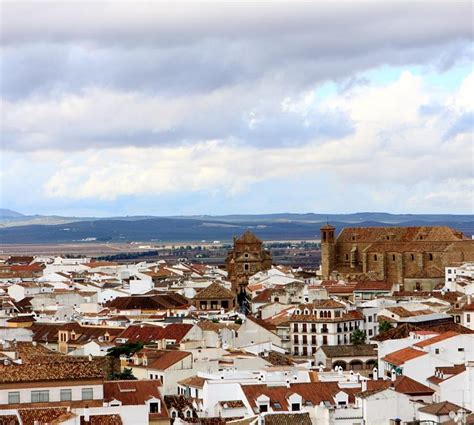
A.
x: 150, y: 108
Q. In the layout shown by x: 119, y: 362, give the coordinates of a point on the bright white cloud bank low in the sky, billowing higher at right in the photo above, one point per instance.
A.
x: 384, y: 153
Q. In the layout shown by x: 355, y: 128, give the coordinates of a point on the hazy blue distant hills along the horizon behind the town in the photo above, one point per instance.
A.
x: 19, y: 228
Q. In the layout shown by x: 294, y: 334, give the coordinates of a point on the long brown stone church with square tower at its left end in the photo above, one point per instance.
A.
x: 414, y: 257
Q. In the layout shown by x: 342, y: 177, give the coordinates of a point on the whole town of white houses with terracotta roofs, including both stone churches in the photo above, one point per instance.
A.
x: 380, y: 332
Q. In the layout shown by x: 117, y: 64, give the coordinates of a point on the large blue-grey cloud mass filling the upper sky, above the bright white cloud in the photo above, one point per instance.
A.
x: 250, y: 55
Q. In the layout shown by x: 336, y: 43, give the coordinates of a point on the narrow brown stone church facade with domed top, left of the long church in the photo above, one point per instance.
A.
x: 245, y: 259
